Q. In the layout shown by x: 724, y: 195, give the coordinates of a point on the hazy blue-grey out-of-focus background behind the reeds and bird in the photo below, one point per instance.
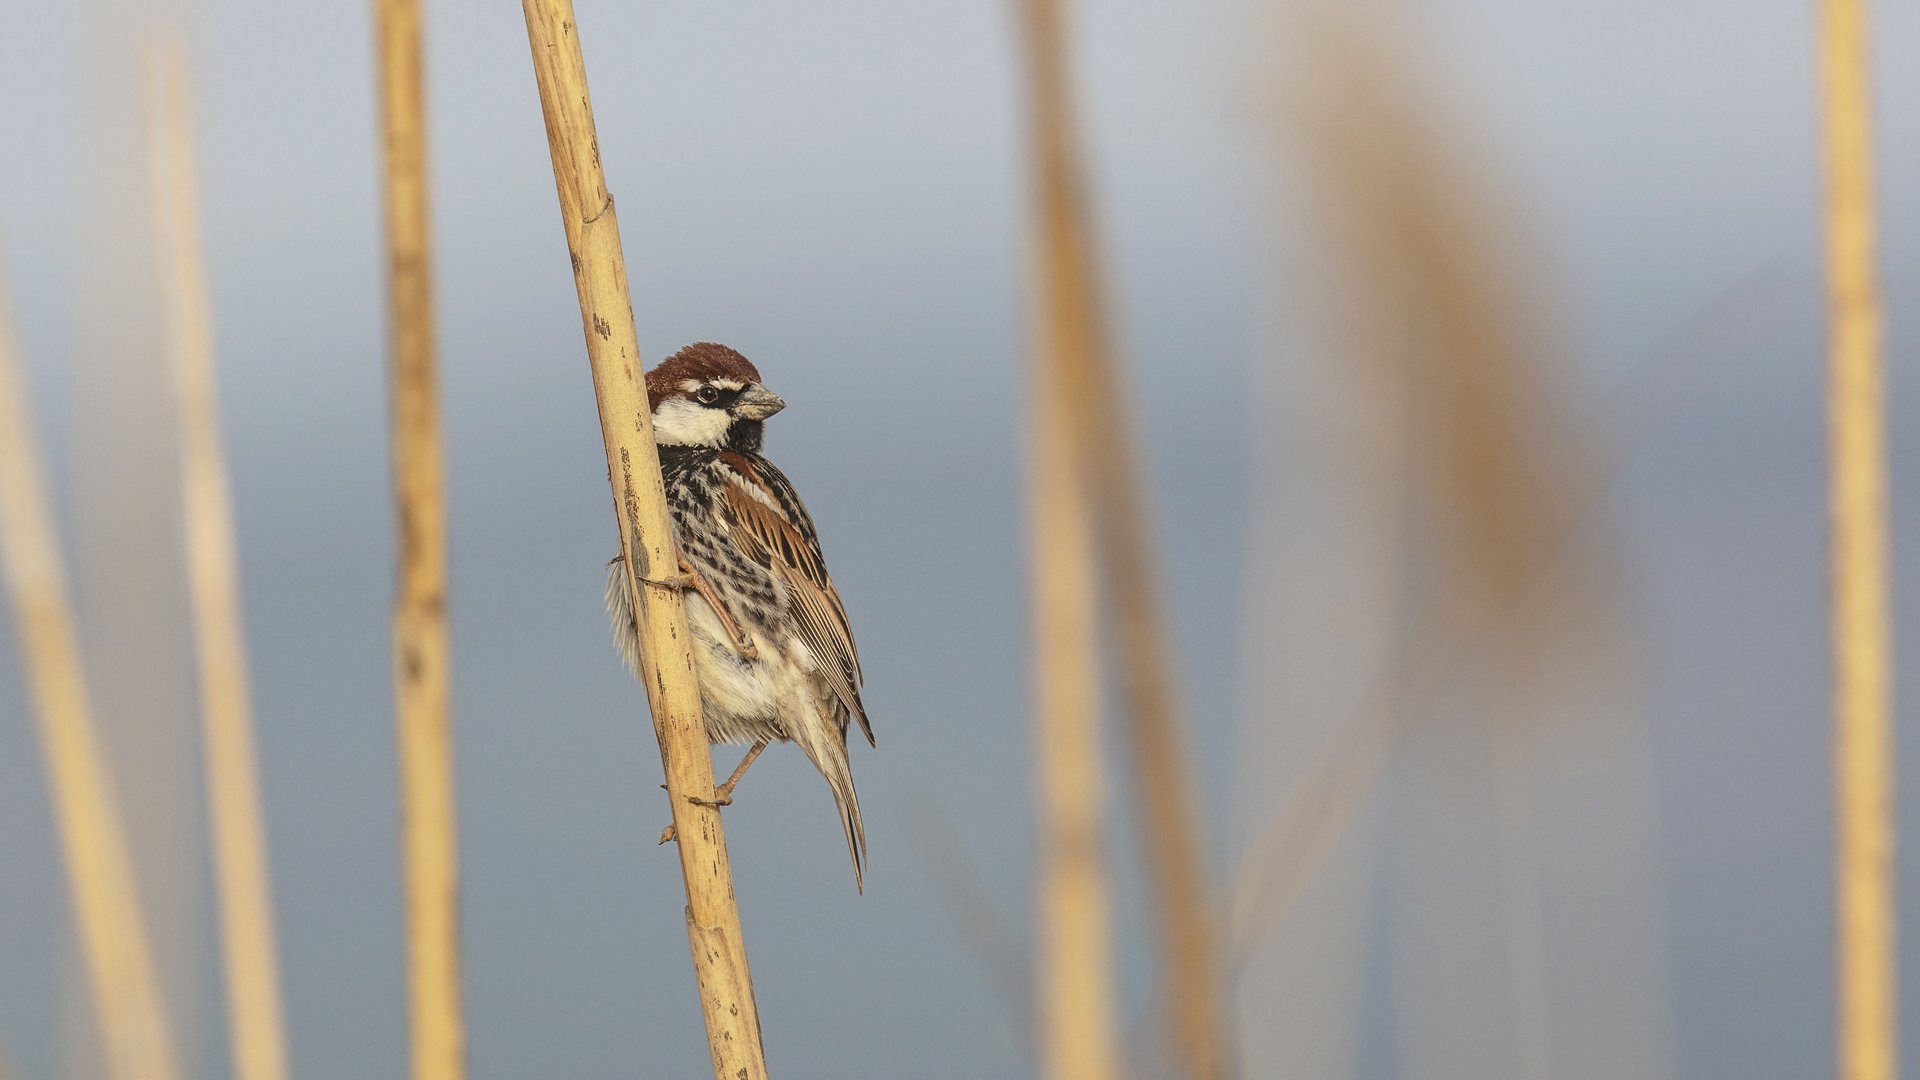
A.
x: 836, y: 191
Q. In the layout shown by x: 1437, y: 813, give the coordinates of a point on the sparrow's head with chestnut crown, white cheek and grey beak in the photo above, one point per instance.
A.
x: 709, y: 395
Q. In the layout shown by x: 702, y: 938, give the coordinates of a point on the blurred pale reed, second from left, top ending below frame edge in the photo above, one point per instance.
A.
x: 251, y: 958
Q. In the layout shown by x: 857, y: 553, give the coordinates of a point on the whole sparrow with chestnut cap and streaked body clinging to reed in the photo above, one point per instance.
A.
x: 771, y: 641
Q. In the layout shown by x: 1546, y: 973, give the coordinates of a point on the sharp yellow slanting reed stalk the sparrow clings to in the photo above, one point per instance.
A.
x: 646, y: 541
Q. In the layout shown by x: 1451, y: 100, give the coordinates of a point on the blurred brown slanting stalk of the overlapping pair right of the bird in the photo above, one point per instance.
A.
x: 1093, y: 408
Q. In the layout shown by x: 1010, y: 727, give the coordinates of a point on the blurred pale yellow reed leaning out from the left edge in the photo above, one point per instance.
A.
x: 107, y: 908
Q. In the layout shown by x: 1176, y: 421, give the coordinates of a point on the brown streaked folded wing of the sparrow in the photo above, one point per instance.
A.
x: 779, y: 535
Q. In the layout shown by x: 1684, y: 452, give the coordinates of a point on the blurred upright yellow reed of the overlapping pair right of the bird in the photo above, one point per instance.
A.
x: 1074, y: 935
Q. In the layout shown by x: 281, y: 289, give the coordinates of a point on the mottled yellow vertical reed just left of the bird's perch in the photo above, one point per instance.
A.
x: 421, y: 656
